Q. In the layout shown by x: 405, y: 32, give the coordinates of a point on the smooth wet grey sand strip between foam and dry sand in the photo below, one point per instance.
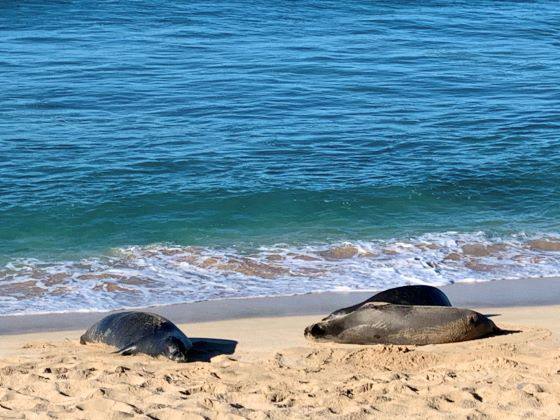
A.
x: 492, y: 294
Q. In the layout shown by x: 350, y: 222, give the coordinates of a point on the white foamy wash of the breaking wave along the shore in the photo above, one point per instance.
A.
x: 163, y: 274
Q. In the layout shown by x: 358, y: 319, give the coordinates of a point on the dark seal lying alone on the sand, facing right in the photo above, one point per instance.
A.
x: 140, y: 332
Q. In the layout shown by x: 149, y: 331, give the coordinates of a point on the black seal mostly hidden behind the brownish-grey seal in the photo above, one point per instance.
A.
x: 404, y: 295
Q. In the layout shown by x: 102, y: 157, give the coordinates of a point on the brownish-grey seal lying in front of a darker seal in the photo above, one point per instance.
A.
x: 385, y: 323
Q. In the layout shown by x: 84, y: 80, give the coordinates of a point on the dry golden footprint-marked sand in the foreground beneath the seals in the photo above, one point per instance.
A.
x: 276, y: 373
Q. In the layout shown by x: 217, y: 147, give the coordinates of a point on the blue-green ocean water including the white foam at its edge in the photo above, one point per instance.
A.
x: 158, y: 152
